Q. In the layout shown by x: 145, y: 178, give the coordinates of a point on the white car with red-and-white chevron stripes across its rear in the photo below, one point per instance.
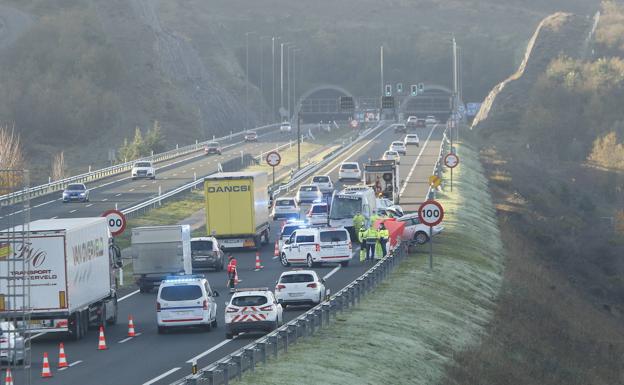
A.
x: 252, y: 310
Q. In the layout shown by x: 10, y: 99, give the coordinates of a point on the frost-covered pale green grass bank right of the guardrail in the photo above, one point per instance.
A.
x: 407, y: 330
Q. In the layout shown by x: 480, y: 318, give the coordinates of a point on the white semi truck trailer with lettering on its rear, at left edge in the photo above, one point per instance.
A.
x: 71, y: 266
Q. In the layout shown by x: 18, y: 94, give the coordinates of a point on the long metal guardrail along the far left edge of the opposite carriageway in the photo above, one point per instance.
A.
x: 58, y: 185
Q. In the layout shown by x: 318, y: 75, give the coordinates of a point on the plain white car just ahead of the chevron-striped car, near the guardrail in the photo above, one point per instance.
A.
x: 300, y: 287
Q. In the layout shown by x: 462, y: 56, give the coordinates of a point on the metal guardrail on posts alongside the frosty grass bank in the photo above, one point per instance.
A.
x: 305, y: 325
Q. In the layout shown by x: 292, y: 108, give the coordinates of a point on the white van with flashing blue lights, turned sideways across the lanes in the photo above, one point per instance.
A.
x: 317, y: 245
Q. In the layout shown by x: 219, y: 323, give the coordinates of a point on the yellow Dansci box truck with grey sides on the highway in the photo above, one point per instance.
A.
x: 237, y: 208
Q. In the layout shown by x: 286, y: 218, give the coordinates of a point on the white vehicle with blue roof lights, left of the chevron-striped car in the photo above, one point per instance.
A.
x: 186, y: 300
